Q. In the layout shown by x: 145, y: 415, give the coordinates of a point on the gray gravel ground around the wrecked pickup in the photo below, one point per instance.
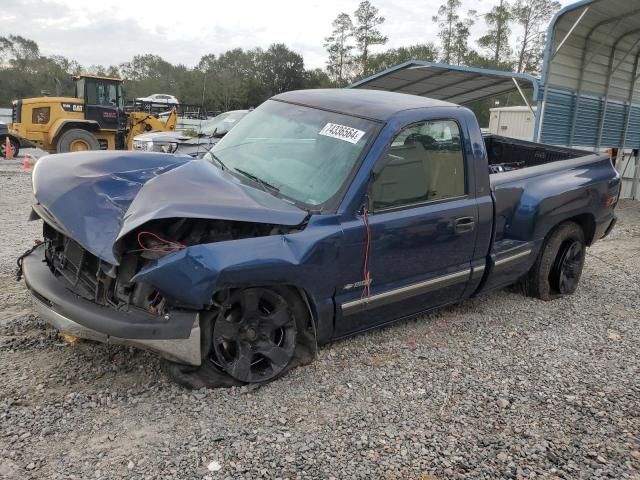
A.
x: 498, y: 387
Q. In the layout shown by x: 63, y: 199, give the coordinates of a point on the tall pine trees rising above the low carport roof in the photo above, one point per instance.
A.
x: 349, y: 46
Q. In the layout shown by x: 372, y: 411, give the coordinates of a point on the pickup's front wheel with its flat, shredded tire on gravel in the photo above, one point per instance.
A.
x: 258, y: 335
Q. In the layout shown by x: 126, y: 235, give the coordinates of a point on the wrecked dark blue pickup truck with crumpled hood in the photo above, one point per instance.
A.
x: 322, y: 214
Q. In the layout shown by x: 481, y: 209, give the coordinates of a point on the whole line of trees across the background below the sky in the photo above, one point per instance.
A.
x: 242, y: 78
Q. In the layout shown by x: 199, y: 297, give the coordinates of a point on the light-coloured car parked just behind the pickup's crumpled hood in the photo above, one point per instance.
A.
x: 207, y: 136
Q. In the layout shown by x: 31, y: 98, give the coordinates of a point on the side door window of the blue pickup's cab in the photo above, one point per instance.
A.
x: 424, y: 163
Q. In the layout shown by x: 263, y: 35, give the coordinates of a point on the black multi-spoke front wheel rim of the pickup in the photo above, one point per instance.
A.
x: 254, y: 340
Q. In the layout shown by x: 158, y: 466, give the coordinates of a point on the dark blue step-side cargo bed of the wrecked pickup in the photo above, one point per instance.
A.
x: 535, y: 187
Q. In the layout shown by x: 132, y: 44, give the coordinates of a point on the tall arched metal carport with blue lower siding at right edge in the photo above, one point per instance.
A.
x: 590, y: 81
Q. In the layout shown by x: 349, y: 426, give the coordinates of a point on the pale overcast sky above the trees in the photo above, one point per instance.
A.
x: 112, y: 32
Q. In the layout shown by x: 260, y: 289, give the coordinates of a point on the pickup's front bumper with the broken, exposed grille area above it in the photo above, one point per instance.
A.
x: 82, y: 295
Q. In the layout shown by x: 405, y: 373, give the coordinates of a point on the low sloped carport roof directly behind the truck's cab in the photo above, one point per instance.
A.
x: 451, y: 83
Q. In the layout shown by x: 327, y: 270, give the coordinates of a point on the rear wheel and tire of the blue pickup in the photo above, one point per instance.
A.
x: 559, y: 265
